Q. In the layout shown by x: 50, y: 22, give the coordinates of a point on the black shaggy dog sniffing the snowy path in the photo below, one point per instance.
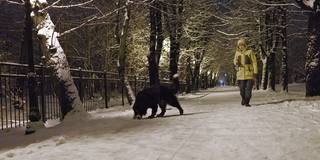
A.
x: 150, y: 98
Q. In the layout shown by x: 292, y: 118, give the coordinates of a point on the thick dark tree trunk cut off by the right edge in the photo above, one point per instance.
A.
x: 313, y: 56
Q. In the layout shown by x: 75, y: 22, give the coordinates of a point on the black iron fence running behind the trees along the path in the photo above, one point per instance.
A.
x: 97, y: 89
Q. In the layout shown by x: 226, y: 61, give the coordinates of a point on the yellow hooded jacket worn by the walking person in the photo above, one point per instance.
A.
x: 246, y: 64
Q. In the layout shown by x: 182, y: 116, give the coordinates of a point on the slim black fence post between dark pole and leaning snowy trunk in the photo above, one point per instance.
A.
x: 42, y: 81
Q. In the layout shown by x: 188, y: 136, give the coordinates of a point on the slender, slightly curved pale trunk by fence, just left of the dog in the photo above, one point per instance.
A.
x: 122, y: 61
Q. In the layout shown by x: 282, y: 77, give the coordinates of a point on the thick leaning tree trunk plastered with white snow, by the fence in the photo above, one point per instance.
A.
x: 66, y: 90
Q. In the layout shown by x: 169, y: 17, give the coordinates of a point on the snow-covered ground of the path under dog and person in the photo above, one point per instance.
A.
x: 215, y: 127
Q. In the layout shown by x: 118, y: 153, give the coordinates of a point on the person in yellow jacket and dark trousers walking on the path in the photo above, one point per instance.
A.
x: 245, y: 62
